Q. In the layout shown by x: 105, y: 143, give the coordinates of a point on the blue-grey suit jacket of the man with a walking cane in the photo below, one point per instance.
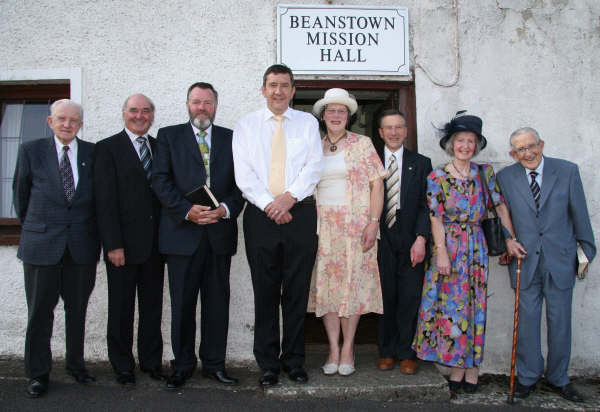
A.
x: 551, y: 234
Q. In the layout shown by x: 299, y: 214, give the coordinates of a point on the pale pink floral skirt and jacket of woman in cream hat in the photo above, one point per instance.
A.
x: 345, y: 280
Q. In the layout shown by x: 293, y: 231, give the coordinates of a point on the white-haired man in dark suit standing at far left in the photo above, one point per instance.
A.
x: 53, y: 196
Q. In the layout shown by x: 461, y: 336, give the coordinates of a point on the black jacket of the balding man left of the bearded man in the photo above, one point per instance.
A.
x: 128, y: 209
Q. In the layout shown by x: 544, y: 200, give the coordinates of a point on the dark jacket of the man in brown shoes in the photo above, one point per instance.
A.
x: 413, y: 217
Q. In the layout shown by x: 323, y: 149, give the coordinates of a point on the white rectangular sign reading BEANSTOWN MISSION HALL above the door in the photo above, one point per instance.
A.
x: 360, y: 40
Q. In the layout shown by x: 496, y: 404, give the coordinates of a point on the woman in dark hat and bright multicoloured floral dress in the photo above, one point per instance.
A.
x: 451, y: 323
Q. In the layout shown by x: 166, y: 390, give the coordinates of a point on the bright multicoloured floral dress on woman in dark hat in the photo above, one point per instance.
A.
x: 451, y: 322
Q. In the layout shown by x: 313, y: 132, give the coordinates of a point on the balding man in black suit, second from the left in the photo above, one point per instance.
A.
x: 128, y: 217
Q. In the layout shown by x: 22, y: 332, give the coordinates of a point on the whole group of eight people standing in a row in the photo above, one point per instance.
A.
x: 332, y: 225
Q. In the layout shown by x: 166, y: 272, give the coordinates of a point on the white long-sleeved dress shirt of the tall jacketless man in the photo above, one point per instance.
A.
x: 252, y: 141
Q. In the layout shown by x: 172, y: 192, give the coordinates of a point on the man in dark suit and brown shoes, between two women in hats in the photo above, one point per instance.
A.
x: 404, y: 232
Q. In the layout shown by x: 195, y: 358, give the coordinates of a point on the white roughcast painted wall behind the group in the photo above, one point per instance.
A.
x: 521, y: 62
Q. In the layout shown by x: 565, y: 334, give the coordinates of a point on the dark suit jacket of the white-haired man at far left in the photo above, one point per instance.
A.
x: 49, y: 223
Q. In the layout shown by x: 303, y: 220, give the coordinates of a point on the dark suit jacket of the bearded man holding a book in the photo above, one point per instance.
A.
x: 178, y: 169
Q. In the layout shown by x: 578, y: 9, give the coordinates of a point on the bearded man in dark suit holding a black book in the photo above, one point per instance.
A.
x: 198, y: 242
